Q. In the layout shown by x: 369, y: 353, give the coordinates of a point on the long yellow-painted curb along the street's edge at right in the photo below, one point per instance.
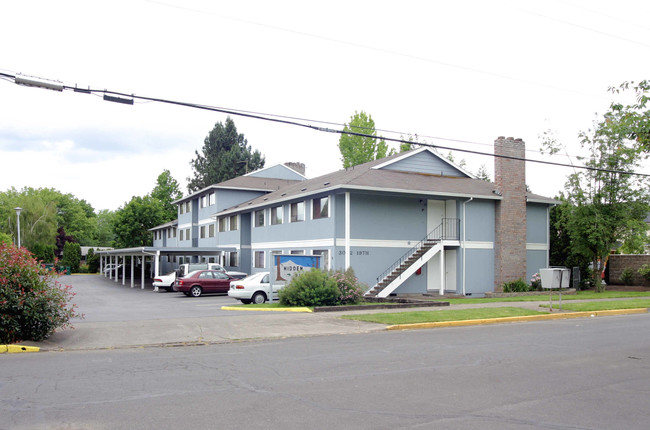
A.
x: 516, y: 319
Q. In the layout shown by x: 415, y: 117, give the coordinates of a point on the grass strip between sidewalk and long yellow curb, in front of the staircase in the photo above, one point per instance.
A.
x: 414, y: 317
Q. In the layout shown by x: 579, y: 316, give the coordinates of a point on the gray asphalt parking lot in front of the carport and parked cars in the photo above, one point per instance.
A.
x: 102, y: 299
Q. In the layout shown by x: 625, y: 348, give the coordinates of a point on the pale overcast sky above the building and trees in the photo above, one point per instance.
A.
x: 456, y: 73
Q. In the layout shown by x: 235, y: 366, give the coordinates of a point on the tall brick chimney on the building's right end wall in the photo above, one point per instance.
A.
x: 510, y: 217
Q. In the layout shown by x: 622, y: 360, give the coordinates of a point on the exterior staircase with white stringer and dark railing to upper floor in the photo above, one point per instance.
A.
x: 415, y: 258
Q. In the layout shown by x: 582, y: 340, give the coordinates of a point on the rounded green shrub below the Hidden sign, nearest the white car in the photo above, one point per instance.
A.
x: 312, y: 288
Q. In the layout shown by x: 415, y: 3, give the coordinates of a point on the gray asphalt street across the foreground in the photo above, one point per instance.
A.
x: 565, y: 374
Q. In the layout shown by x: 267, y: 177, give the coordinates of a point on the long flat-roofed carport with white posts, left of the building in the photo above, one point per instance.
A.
x: 119, y: 258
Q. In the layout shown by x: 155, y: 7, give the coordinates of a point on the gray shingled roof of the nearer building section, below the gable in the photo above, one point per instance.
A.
x: 367, y: 177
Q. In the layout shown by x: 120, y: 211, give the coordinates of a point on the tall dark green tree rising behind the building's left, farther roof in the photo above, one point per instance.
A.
x: 226, y: 154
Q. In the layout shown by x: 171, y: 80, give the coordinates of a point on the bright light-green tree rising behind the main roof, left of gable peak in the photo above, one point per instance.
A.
x: 361, y: 149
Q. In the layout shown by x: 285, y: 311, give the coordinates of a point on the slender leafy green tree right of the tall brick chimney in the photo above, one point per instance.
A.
x: 608, y: 206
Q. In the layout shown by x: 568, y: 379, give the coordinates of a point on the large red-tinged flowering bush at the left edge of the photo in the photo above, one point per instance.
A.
x: 32, y: 302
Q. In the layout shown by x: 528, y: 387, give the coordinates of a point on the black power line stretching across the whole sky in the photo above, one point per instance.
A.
x: 129, y: 98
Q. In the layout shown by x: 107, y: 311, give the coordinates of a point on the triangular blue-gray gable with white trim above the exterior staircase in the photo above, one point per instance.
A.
x: 424, y: 161
